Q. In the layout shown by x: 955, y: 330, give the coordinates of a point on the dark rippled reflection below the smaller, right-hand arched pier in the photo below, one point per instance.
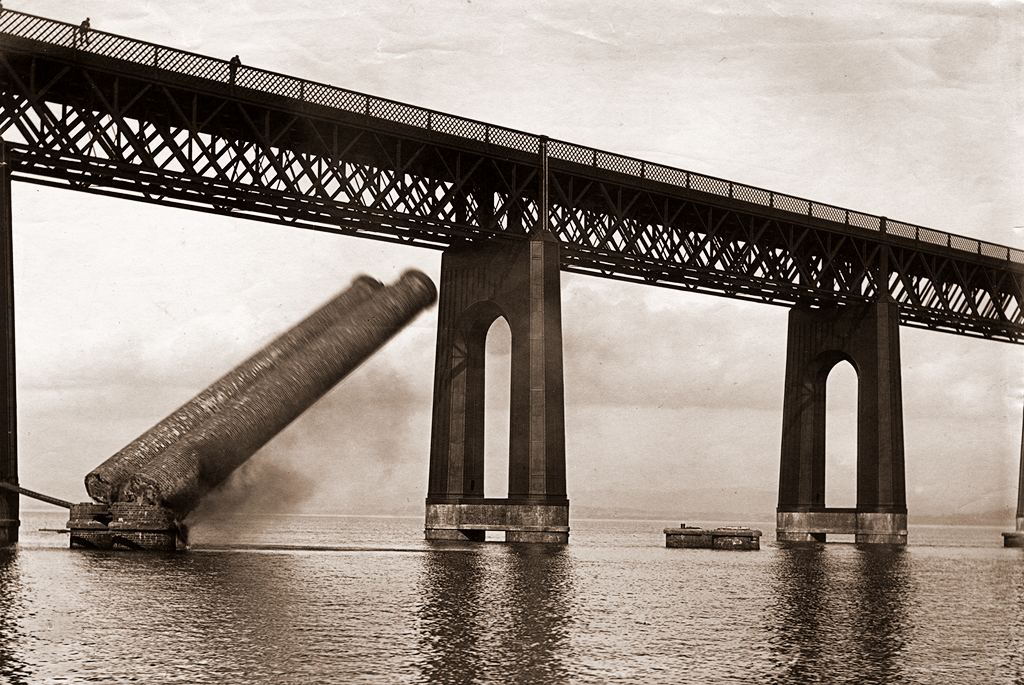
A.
x: 839, y: 612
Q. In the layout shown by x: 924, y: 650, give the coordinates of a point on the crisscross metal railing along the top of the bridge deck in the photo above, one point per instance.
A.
x: 210, y: 69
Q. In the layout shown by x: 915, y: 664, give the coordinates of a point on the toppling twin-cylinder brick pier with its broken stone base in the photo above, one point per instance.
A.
x: 153, y: 484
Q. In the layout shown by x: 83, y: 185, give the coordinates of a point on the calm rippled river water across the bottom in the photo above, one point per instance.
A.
x: 615, y: 606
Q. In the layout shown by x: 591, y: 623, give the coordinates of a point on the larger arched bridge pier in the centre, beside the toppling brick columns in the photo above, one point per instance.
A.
x: 519, y: 282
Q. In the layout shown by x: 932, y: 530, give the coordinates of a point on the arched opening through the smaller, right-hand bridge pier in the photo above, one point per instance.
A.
x: 841, y: 437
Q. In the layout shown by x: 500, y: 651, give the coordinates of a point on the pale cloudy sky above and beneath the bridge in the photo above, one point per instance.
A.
x: 674, y: 401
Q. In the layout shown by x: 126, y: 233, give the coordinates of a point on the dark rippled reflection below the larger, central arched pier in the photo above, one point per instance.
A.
x: 498, y: 617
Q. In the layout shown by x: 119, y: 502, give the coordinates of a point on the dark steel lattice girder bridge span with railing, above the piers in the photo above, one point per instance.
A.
x: 114, y: 116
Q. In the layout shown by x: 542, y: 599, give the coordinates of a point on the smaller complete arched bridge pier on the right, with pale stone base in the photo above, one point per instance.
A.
x: 869, y: 338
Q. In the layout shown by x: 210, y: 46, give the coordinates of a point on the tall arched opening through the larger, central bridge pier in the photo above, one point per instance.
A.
x: 497, y: 409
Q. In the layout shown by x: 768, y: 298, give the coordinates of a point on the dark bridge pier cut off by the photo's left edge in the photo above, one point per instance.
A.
x: 9, y: 430
